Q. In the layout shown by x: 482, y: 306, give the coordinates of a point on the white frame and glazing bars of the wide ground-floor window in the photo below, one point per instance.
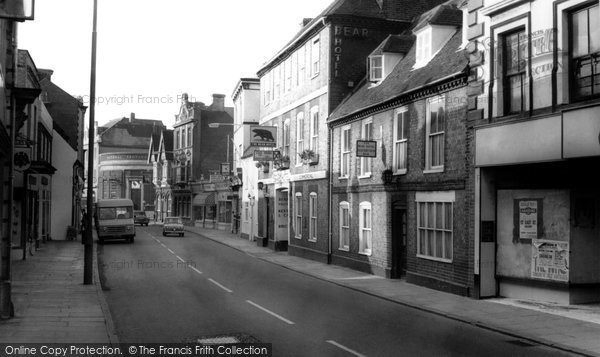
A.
x: 435, y: 198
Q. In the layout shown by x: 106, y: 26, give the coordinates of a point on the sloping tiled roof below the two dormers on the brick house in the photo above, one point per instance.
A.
x: 403, y: 80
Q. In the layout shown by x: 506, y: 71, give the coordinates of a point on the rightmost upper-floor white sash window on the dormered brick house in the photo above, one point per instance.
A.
x: 436, y: 124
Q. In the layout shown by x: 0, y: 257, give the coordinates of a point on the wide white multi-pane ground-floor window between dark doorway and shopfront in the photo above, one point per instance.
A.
x: 435, y: 225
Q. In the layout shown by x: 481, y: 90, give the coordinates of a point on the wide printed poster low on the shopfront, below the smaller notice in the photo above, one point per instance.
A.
x: 550, y: 260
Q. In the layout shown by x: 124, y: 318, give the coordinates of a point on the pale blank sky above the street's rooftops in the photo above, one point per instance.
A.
x: 151, y: 51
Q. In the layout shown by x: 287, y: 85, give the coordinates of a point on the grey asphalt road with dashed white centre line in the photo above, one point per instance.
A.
x: 172, y: 289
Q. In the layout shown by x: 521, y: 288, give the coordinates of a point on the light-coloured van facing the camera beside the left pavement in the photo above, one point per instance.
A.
x: 114, y: 219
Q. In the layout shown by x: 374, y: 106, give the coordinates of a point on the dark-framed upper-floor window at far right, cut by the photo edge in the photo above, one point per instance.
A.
x: 585, y: 52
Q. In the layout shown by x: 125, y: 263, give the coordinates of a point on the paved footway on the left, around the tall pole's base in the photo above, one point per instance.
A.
x: 52, y: 304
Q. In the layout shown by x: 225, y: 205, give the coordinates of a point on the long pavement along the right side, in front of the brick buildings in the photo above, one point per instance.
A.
x: 570, y: 328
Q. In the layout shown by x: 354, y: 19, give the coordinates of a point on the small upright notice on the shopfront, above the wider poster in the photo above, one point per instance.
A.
x: 528, y: 219
